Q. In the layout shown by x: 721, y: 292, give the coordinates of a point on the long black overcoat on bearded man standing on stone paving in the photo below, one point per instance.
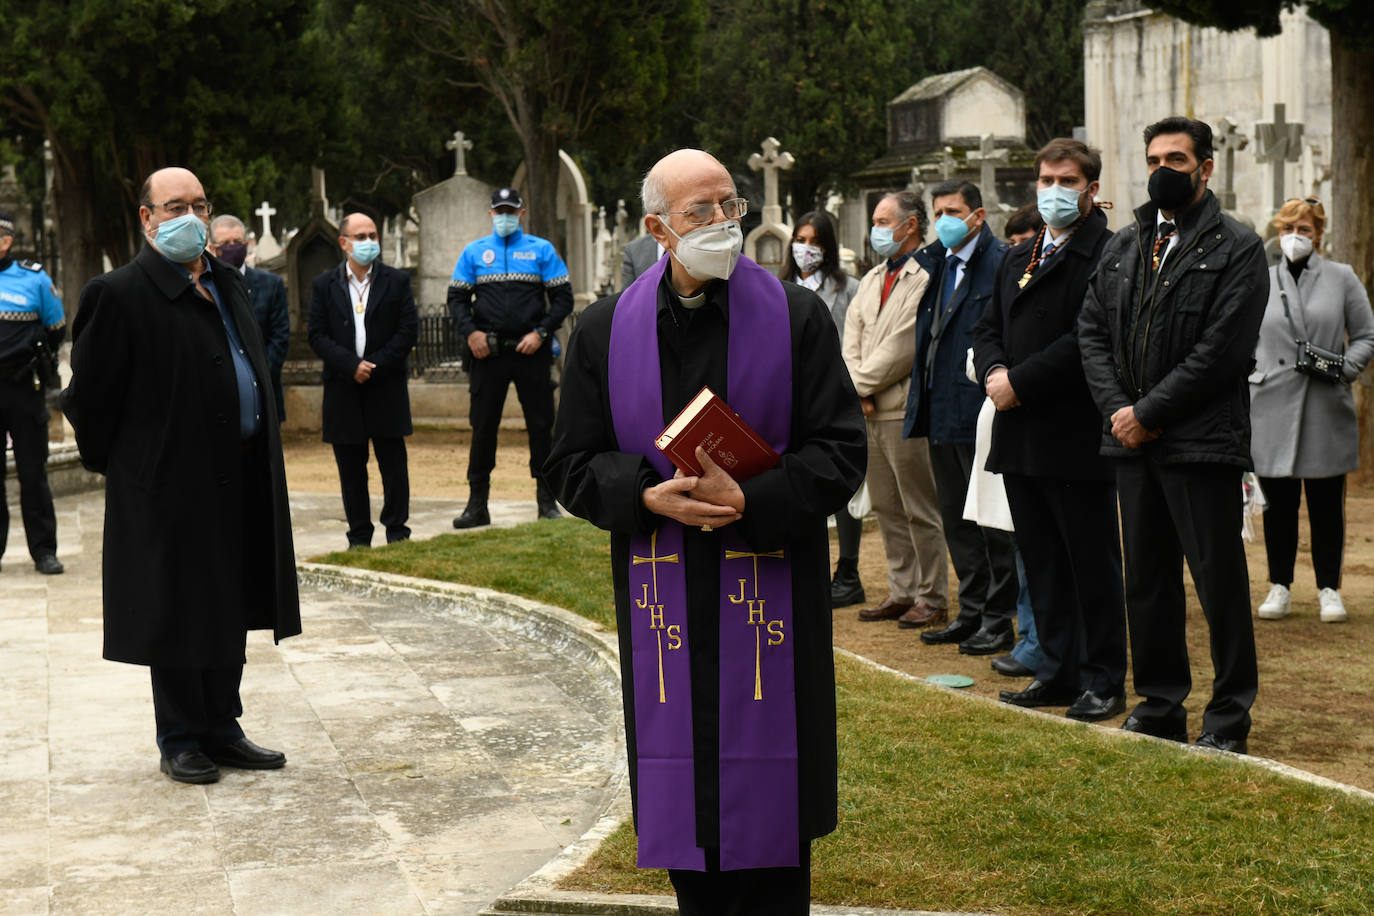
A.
x: 197, y: 531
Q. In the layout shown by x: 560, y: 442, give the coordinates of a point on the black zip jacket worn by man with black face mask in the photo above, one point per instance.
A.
x: 1200, y: 332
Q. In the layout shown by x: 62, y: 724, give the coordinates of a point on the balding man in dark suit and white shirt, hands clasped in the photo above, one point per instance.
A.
x: 363, y: 325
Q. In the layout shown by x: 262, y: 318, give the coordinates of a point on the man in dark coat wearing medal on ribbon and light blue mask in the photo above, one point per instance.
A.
x: 1045, y: 443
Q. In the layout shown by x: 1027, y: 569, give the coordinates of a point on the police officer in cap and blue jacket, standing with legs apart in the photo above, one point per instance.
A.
x: 498, y: 303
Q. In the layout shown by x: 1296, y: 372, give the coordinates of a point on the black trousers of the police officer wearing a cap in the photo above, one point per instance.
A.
x: 490, y: 380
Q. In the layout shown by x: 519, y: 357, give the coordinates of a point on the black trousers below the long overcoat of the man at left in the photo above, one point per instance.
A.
x: 197, y: 708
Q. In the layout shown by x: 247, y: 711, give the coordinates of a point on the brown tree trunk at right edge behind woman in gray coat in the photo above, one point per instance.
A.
x: 1353, y: 182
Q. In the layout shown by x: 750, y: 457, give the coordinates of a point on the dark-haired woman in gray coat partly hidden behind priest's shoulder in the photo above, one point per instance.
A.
x: 813, y: 262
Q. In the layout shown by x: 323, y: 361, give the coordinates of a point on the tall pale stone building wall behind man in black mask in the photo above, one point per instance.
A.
x: 1141, y: 67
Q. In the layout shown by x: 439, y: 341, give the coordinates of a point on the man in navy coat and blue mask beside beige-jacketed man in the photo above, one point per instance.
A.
x: 943, y: 406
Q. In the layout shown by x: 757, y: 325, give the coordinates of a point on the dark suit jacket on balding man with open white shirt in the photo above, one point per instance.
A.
x: 381, y: 407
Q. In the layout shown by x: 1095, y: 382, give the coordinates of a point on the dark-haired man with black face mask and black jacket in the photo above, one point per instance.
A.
x: 1167, y: 334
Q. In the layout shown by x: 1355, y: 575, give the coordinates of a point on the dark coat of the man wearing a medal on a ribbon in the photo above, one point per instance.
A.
x: 1034, y: 332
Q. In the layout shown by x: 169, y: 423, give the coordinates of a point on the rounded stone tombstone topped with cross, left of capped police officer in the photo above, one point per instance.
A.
x: 450, y: 215
